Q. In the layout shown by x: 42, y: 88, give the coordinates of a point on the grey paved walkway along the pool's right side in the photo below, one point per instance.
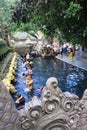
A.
x: 79, y: 60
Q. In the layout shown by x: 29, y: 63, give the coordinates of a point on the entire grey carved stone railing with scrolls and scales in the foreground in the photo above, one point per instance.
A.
x: 55, y: 110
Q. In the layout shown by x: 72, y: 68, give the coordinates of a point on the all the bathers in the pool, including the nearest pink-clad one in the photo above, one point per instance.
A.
x: 27, y: 76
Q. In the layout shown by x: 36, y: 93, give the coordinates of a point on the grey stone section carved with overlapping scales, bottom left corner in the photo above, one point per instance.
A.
x: 9, y: 117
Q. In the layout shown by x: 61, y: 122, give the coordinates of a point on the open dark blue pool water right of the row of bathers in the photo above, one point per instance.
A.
x: 70, y: 78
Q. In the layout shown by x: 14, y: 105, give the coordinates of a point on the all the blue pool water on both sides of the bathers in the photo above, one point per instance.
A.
x: 70, y: 78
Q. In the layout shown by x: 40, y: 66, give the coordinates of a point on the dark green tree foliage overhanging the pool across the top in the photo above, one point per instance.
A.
x: 55, y: 17
